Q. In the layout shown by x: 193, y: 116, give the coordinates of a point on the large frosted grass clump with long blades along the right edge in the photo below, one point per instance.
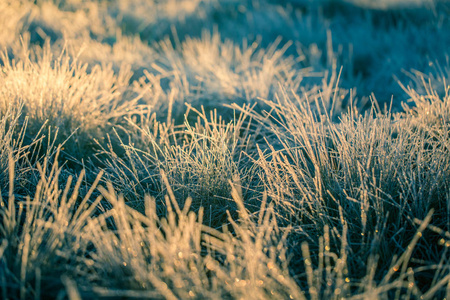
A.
x: 373, y: 174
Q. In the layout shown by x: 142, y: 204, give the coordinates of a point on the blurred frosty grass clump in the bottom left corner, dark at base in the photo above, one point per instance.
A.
x: 40, y: 236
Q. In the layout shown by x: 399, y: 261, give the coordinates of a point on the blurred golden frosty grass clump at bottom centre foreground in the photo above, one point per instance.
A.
x: 177, y: 256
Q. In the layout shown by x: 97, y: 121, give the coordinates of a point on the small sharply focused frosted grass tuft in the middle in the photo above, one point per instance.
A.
x: 196, y: 161
